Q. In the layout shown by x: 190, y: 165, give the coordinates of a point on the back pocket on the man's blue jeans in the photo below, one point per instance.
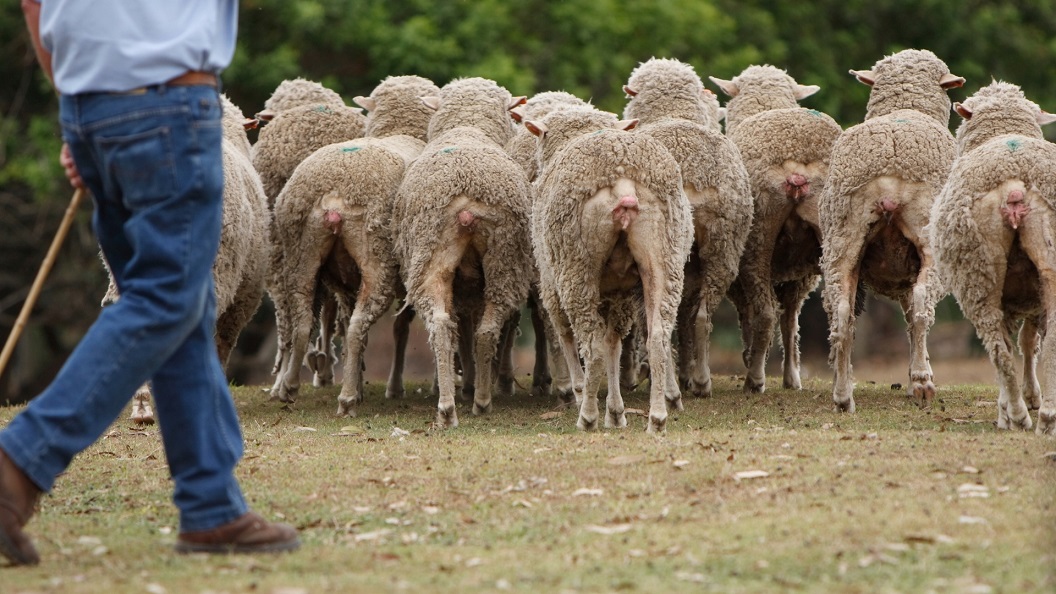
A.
x: 143, y: 166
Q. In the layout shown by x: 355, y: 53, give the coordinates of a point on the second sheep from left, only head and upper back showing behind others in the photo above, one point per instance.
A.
x: 297, y: 132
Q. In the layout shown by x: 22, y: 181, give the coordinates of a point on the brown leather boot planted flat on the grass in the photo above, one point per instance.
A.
x: 250, y: 533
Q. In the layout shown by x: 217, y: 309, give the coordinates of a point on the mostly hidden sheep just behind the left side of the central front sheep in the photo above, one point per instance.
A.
x: 523, y: 148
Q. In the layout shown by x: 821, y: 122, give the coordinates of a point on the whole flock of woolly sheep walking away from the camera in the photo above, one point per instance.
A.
x: 624, y: 236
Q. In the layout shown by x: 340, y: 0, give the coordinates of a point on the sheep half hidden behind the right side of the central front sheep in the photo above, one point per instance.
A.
x: 670, y: 101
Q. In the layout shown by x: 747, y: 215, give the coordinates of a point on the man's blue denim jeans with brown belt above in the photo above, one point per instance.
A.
x: 153, y: 162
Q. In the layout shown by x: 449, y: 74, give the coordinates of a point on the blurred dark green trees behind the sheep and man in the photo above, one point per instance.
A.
x: 584, y: 47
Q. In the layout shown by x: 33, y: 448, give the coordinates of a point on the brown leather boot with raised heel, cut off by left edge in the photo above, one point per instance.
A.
x: 18, y: 502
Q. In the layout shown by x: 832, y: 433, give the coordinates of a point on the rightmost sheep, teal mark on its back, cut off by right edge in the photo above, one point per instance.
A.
x: 993, y: 231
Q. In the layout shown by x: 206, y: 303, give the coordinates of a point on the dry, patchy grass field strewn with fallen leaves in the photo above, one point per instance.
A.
x: 766, y: 493
